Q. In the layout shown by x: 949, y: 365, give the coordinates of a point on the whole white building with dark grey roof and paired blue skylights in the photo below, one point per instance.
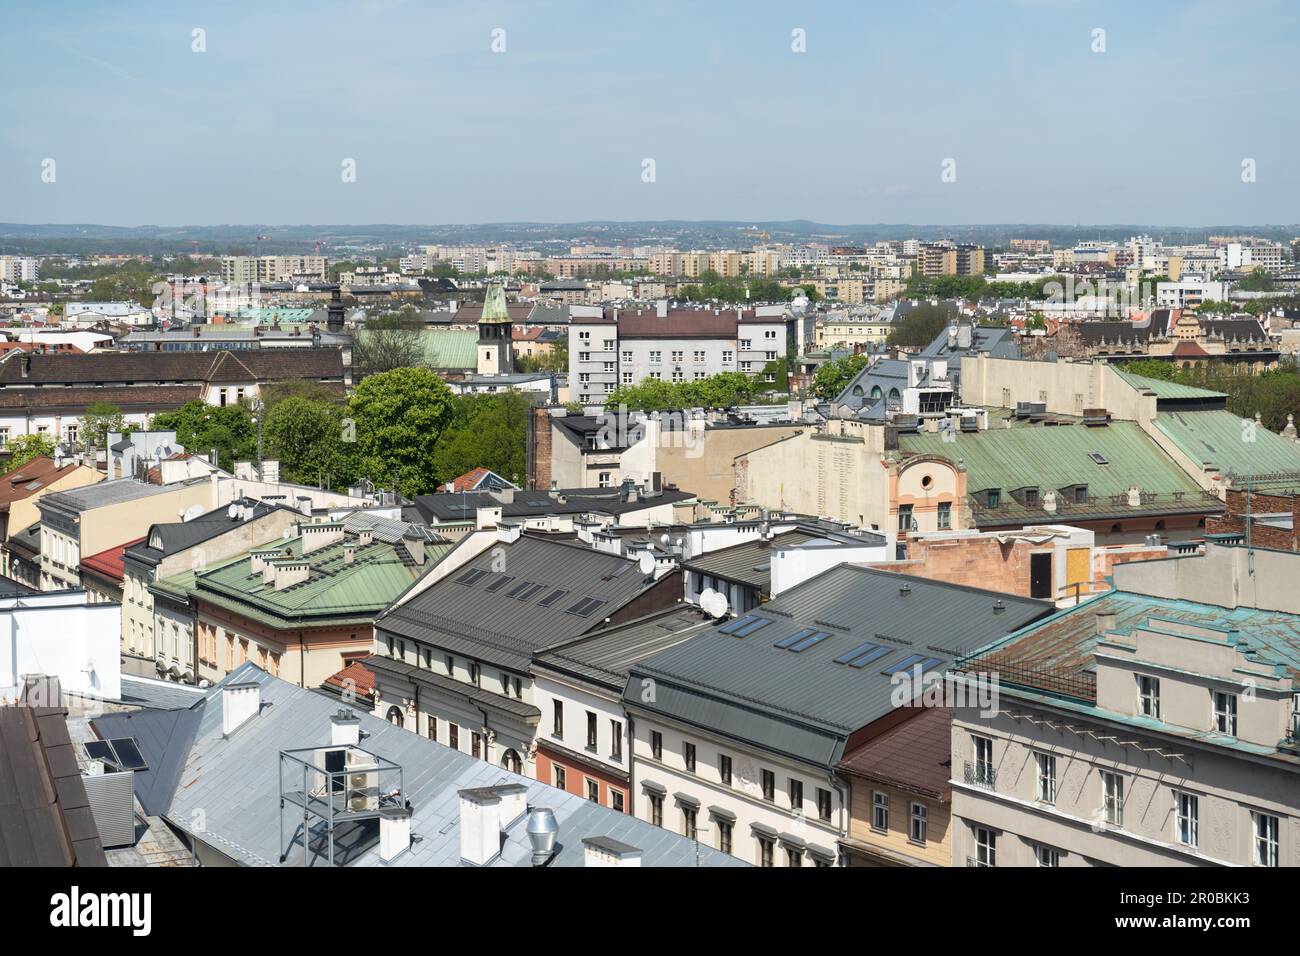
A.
x: 738, y: 733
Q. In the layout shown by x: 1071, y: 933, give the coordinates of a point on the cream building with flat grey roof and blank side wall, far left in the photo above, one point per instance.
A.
x: 93, y: 520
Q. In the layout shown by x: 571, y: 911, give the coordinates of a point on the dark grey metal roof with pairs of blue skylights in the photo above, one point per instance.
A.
x: 805, y: 704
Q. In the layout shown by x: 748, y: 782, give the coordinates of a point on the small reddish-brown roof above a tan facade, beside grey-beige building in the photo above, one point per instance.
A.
x: 915, y: 756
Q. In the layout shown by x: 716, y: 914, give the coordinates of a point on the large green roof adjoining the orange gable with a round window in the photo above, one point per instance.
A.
x: 1058, y: 457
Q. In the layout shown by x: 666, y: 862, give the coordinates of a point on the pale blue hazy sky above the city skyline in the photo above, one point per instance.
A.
x: 1042, y: 118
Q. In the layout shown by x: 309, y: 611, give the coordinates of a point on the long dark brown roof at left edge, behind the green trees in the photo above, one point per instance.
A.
x: 146, y: 367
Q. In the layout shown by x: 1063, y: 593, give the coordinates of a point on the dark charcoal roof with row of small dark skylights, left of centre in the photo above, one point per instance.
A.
x: 493, y: 626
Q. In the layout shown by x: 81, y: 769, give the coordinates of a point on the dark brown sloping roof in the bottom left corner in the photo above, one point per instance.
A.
x: 45, y: 815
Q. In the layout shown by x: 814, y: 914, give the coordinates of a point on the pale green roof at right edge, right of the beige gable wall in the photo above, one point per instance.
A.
x: 1233, y: 445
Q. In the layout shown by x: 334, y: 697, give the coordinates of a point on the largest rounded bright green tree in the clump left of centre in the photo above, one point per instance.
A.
x: 398, y: 418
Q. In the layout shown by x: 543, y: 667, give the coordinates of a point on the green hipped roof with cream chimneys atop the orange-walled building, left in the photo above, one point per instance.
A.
x: 333, y: 594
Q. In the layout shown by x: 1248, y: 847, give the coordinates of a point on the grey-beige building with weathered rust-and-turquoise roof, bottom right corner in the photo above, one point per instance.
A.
x: 1155, y: 726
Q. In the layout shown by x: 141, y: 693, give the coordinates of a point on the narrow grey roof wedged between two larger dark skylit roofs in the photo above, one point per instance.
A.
x: 605, y: 657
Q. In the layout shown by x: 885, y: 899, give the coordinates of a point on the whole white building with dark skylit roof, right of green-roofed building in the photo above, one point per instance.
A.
x: 454, y: 661
